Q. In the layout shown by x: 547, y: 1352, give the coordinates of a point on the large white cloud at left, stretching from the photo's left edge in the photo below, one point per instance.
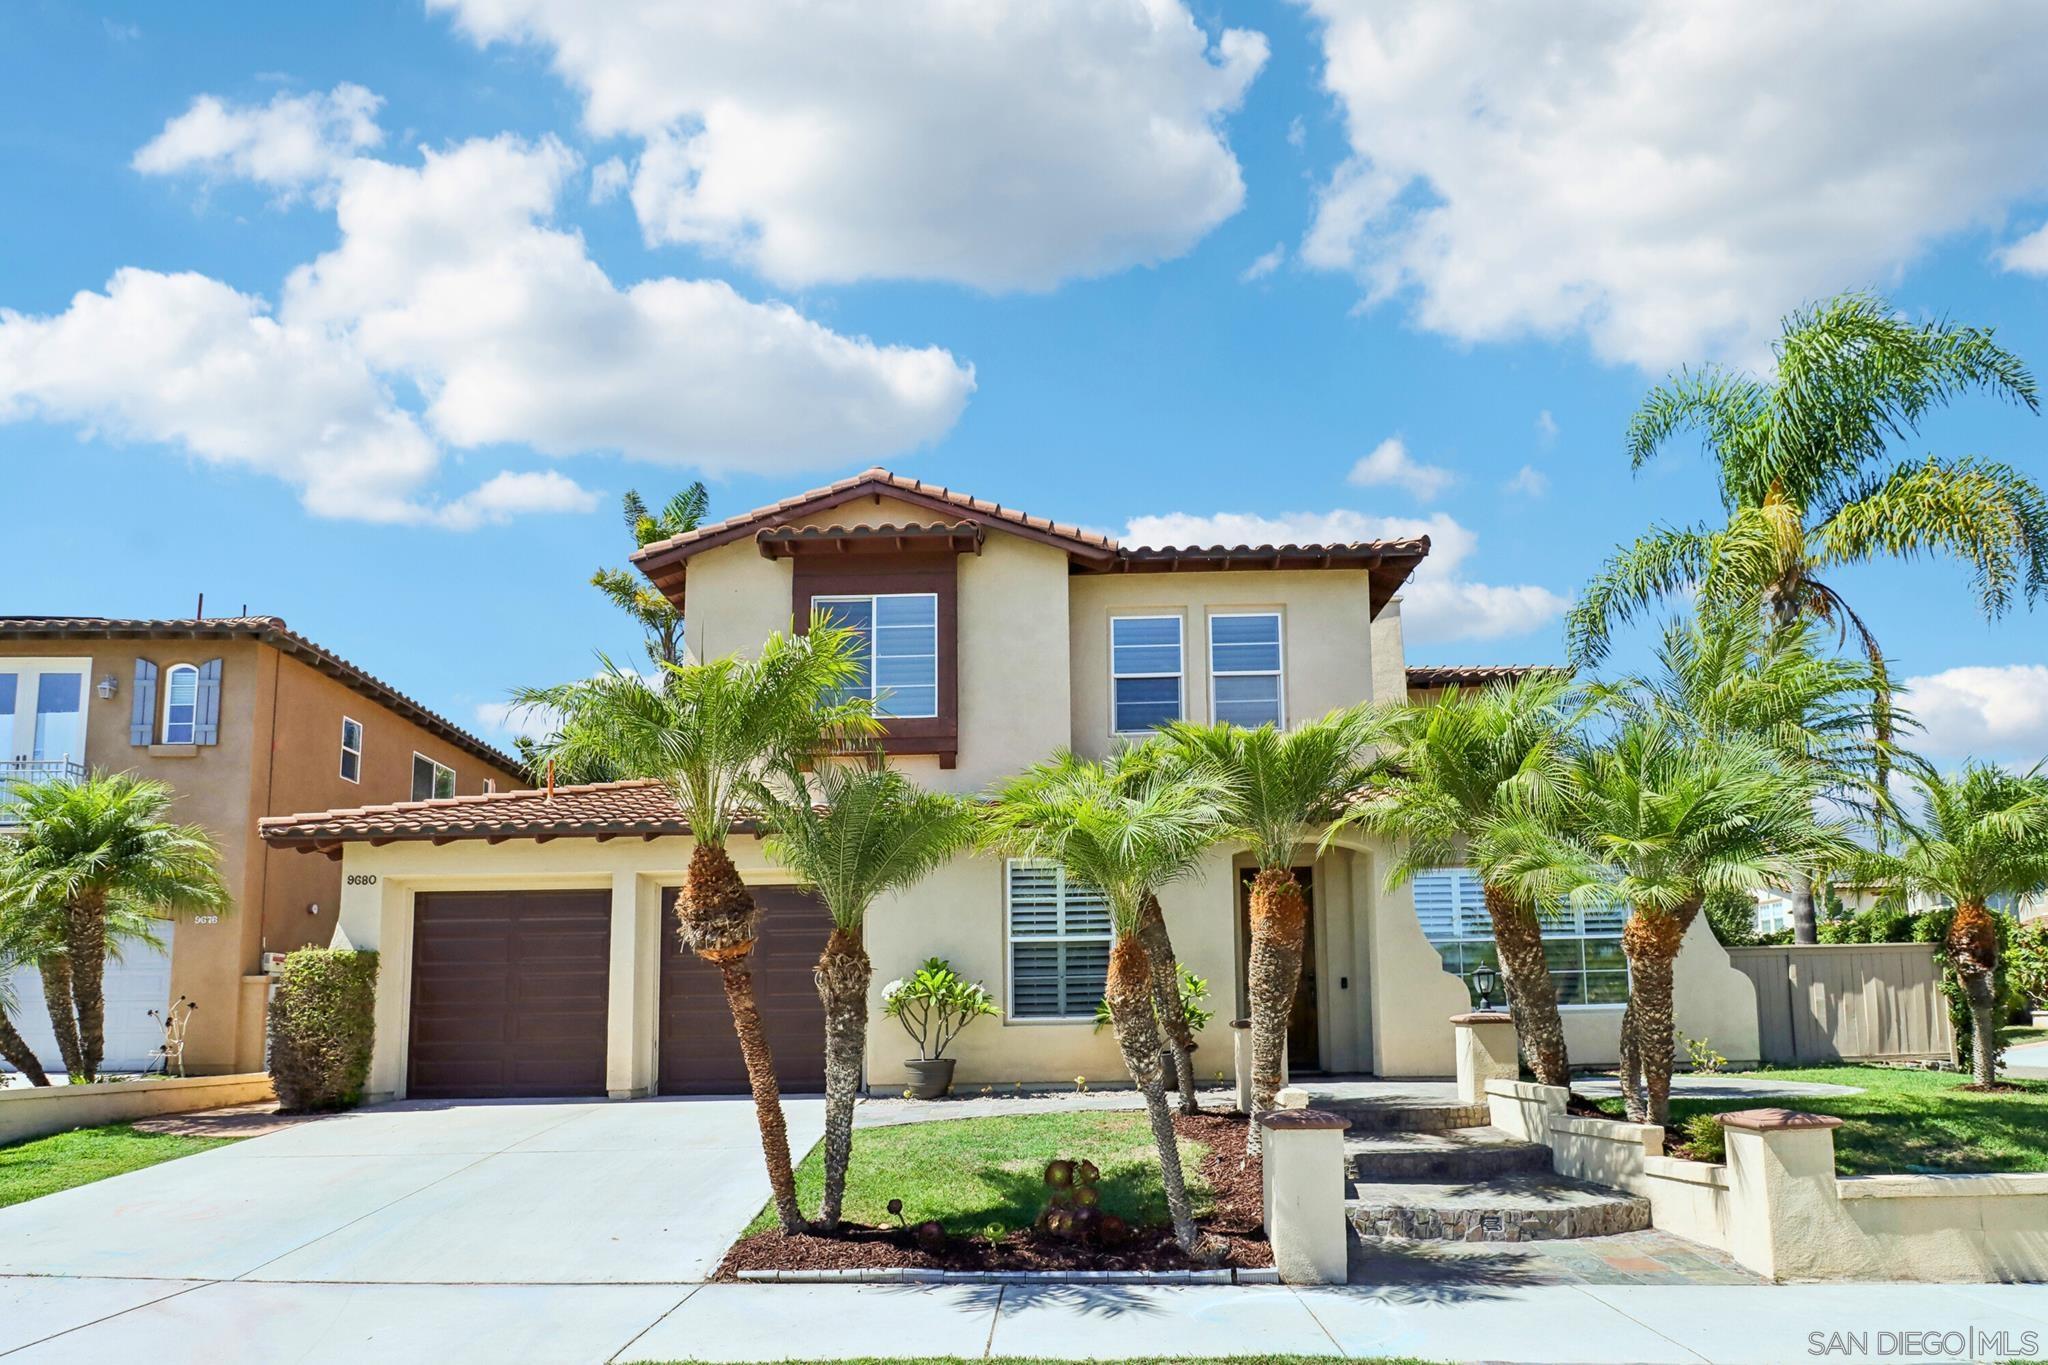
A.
x: 450, y: 283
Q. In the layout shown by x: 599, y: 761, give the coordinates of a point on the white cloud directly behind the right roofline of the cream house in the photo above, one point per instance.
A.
x: 1439, y: 605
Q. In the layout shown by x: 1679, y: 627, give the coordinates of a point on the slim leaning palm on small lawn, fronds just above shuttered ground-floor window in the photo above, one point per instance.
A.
x: 1125, y: 838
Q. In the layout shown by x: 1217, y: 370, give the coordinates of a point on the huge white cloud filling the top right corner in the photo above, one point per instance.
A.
x: 1666, y: 179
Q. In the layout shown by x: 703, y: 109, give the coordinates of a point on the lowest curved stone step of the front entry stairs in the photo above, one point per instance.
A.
x: 1510, y: 1208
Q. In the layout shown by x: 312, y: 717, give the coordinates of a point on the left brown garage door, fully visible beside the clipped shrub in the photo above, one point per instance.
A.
x: 509, y: 994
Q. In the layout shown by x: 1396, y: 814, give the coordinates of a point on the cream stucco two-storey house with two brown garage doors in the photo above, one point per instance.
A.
x: 996, y: 637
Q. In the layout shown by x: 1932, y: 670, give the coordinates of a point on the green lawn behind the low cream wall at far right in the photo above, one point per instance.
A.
x: 1908, y: 1120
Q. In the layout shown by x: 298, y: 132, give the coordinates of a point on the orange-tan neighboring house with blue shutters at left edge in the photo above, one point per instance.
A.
x: 243, y: 719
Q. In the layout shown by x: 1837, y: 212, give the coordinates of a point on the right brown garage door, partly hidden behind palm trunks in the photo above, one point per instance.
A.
x: 699, y: 1051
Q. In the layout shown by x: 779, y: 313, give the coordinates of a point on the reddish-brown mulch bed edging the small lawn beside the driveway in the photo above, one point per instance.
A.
x: 1236, y: 1219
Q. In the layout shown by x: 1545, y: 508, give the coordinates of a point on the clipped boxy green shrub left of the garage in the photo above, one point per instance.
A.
x: 323, y: 1024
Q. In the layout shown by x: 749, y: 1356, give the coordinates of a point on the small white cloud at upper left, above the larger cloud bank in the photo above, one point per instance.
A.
x: 292, y: 142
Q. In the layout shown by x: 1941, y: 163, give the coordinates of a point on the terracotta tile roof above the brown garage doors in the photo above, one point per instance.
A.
x: 603, y: 809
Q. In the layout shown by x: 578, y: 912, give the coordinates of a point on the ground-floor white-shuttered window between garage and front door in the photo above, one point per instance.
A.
x: 1060, y: 942
